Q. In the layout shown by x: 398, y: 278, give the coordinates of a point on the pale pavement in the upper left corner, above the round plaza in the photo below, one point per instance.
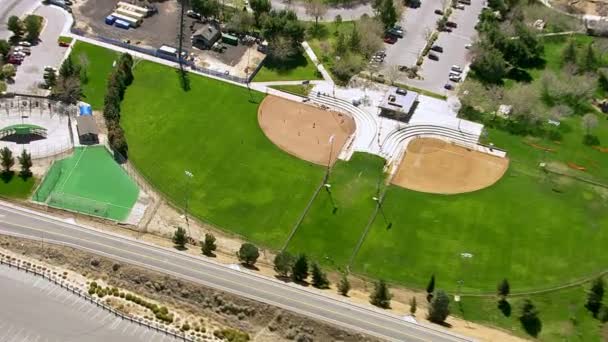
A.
x: 46, y: 52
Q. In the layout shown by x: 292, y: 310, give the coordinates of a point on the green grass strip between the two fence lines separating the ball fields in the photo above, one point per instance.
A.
x: 331, y: 237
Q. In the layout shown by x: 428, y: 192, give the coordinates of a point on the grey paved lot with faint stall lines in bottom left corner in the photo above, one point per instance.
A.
x: 34, y: 309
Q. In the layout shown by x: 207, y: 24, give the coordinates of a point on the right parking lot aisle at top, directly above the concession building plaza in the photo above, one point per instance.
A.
x: 435, y: 74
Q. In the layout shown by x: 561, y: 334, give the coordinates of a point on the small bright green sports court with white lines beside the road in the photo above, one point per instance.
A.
x: 89, y: 182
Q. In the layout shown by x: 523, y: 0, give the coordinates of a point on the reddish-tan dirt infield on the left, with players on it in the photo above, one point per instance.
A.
x: 303, y: 130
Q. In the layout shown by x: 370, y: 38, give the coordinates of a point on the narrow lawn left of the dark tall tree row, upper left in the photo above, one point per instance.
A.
x: 100, y: 66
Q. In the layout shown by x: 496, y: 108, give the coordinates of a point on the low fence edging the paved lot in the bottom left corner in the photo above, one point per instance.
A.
x: 99, y: 303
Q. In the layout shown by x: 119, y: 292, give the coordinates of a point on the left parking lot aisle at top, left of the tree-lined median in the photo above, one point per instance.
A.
x: 416, y: 23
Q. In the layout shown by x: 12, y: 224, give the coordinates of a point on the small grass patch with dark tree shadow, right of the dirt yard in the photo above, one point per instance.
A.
x: 300, y: 69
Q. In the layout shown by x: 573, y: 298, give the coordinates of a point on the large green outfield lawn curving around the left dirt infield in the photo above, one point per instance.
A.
x: 242, y: 182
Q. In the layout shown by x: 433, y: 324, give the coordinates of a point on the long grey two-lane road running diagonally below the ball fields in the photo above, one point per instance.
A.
x: 30, y: 224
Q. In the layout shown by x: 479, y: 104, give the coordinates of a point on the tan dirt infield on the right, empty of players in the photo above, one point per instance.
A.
x: 436, y: 166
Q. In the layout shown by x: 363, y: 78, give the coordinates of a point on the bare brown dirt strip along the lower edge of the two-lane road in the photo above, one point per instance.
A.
x: 253, y: 317
